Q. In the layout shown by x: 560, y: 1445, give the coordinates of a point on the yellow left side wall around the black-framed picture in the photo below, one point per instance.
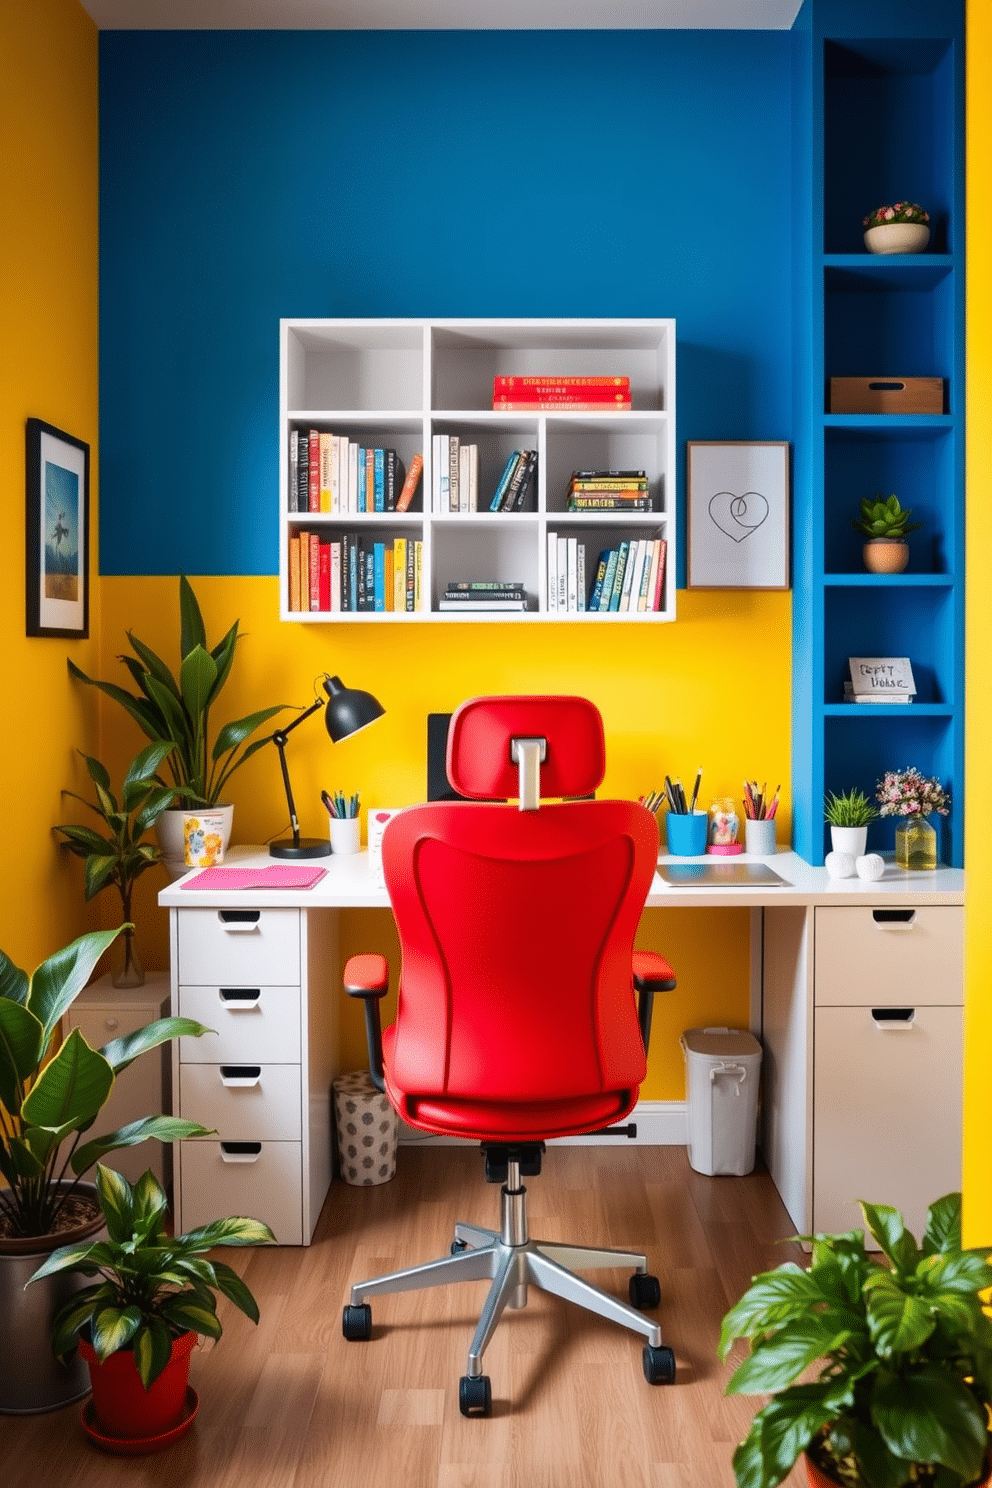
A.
x: 48, y: 370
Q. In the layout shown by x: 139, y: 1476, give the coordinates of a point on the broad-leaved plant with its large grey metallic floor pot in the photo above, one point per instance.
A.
x: 51, y: 1102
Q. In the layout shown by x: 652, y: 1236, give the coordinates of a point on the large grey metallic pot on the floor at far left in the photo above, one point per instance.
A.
x: 32, y: 1379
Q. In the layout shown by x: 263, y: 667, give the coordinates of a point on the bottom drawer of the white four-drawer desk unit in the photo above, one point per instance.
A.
x: 257, y: 1179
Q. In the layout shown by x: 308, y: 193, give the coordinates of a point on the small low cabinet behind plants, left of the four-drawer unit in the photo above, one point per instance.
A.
x: 103, y: 1013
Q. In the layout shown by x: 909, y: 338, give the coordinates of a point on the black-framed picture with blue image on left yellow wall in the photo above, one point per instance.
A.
x: 57, y: 532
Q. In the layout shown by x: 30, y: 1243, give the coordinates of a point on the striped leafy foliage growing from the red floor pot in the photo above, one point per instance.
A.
x: 152, y: 1286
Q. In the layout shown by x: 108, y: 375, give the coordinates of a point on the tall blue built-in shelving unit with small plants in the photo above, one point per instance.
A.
x: 880, y: 118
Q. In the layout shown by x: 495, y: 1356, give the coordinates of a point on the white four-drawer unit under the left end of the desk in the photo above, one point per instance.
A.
x: 263, y: 1080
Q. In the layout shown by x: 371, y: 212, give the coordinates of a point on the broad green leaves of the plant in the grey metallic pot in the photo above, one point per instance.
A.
x: 50, y: 1105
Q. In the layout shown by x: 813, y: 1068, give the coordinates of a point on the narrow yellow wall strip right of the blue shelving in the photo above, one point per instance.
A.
x: 978, y: 1181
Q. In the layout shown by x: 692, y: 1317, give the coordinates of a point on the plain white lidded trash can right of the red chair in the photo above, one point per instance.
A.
x: 722, y: 1083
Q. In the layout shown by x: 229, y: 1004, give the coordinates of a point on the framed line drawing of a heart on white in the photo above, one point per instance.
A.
x: 737, y: 525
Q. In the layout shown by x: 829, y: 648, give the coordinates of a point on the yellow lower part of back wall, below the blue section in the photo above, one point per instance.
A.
x: 673, y: 699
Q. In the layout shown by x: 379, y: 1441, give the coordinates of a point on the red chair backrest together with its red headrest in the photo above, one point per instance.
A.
x: 517, y: 928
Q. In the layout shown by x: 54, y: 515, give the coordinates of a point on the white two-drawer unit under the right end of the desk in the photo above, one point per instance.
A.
x: 863, y: 1013
